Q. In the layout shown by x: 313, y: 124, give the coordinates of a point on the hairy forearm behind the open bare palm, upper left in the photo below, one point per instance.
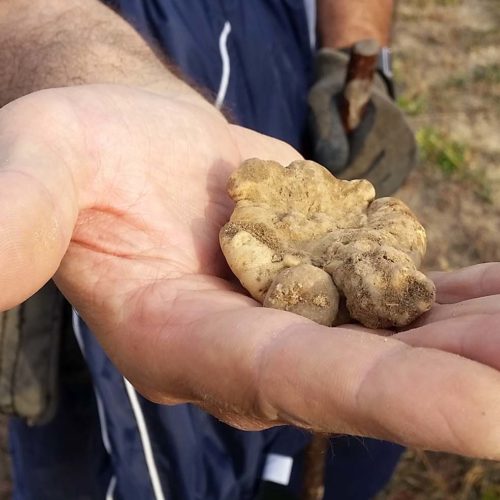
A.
x: 55, y: 43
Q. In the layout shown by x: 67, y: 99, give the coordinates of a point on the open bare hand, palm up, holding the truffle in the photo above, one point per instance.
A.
x: 126, y: 192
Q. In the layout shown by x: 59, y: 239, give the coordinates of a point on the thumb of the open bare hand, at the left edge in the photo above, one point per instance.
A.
x: 38, y: 201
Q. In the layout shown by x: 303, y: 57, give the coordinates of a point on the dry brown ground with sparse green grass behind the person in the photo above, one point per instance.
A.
x: 447, y: 67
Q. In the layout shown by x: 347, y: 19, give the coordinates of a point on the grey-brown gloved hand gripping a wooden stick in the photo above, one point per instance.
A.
x: 381, y: 149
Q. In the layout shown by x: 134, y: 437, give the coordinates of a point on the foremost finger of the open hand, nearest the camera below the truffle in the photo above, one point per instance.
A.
x: 373, y: 386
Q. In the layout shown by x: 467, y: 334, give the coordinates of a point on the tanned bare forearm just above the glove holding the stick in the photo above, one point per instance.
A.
x: 344, y: 22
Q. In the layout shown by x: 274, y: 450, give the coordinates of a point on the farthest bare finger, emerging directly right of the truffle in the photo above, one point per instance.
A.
x: 467, y: 283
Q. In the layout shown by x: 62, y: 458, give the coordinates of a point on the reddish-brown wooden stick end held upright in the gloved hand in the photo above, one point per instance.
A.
x: 358, y: 83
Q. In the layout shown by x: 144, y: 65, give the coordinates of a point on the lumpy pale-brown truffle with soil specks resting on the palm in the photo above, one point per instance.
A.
x: 364, y: 250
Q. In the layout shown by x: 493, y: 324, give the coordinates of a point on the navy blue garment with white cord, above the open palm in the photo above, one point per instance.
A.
x: 268, y: 48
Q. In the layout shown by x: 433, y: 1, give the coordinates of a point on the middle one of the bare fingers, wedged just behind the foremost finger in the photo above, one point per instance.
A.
x: 476, y: 337
